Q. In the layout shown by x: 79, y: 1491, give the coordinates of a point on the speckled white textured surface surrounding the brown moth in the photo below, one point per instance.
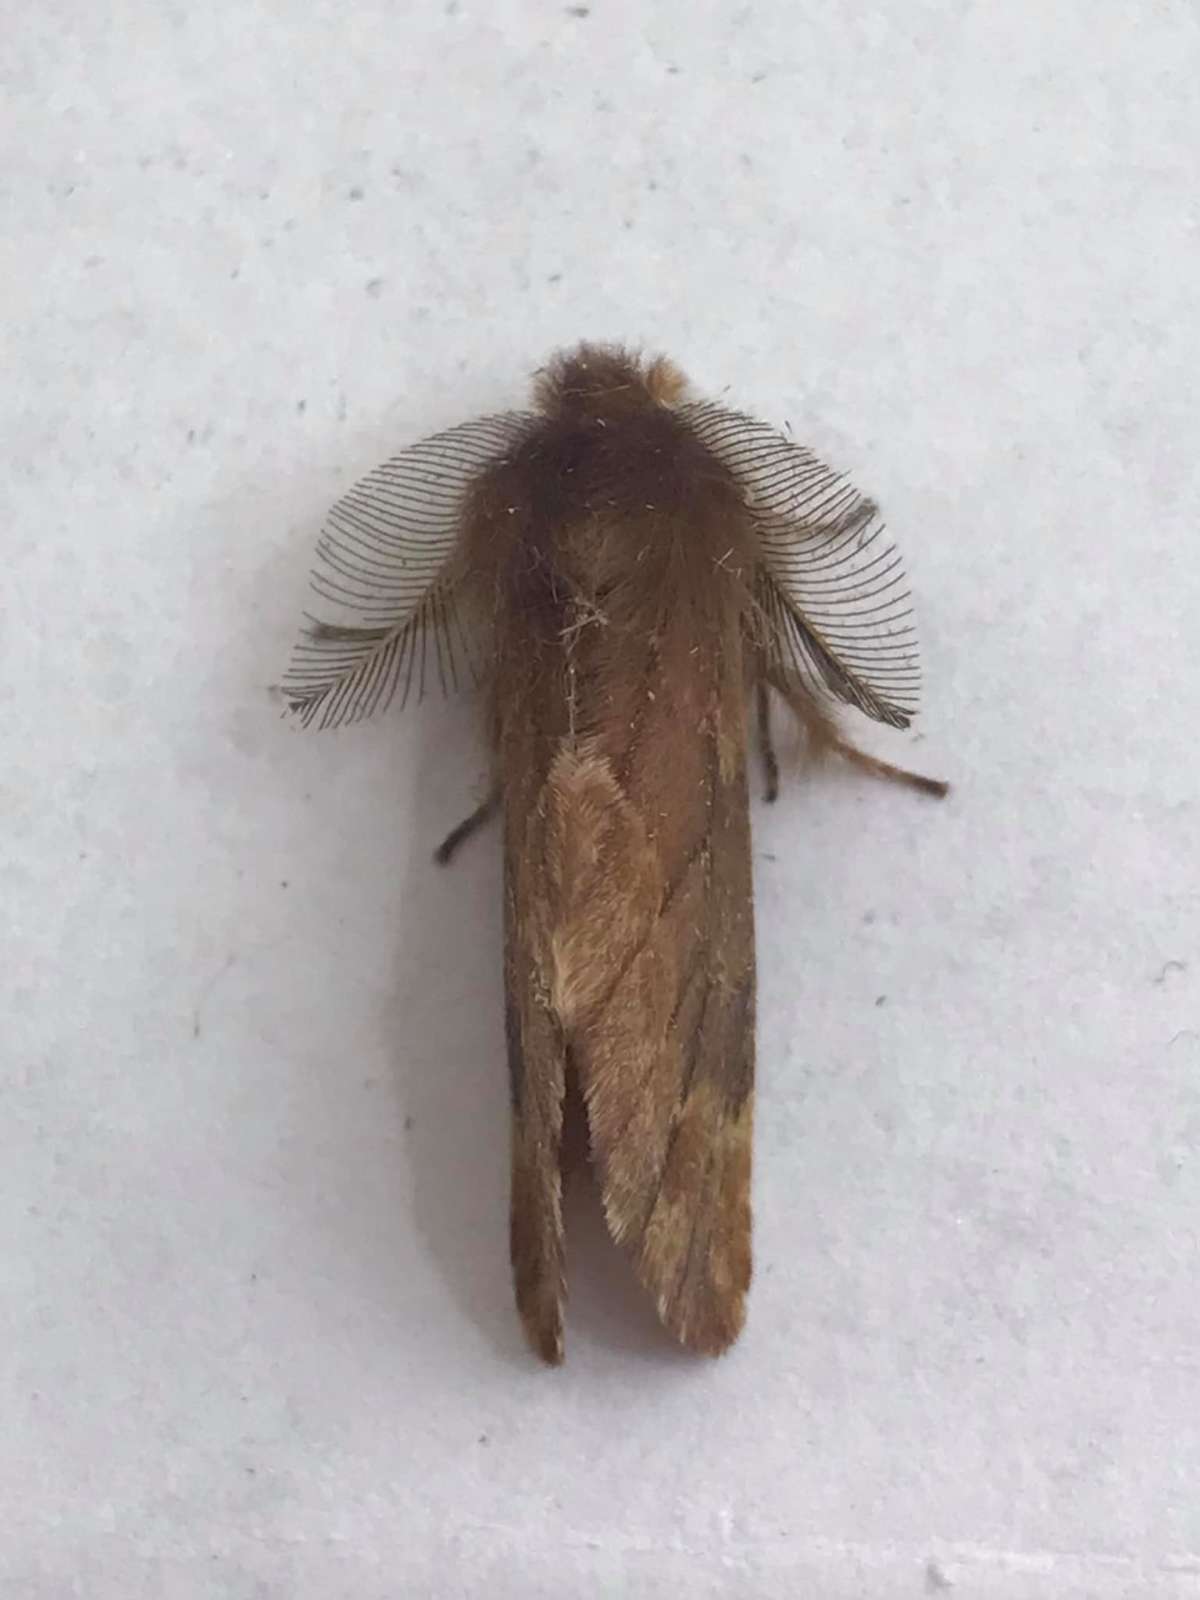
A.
x: 257, y: 1321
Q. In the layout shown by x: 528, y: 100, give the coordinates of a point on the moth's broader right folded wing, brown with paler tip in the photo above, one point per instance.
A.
x: 654, y: 977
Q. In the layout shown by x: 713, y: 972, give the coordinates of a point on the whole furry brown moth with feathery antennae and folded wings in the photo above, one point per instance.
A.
x: 631, y: 577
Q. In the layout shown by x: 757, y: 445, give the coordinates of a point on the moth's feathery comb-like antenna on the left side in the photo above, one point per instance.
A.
x: 386, y: 583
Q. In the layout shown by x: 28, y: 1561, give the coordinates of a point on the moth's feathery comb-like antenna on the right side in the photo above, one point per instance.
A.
x: 834, y: 607
